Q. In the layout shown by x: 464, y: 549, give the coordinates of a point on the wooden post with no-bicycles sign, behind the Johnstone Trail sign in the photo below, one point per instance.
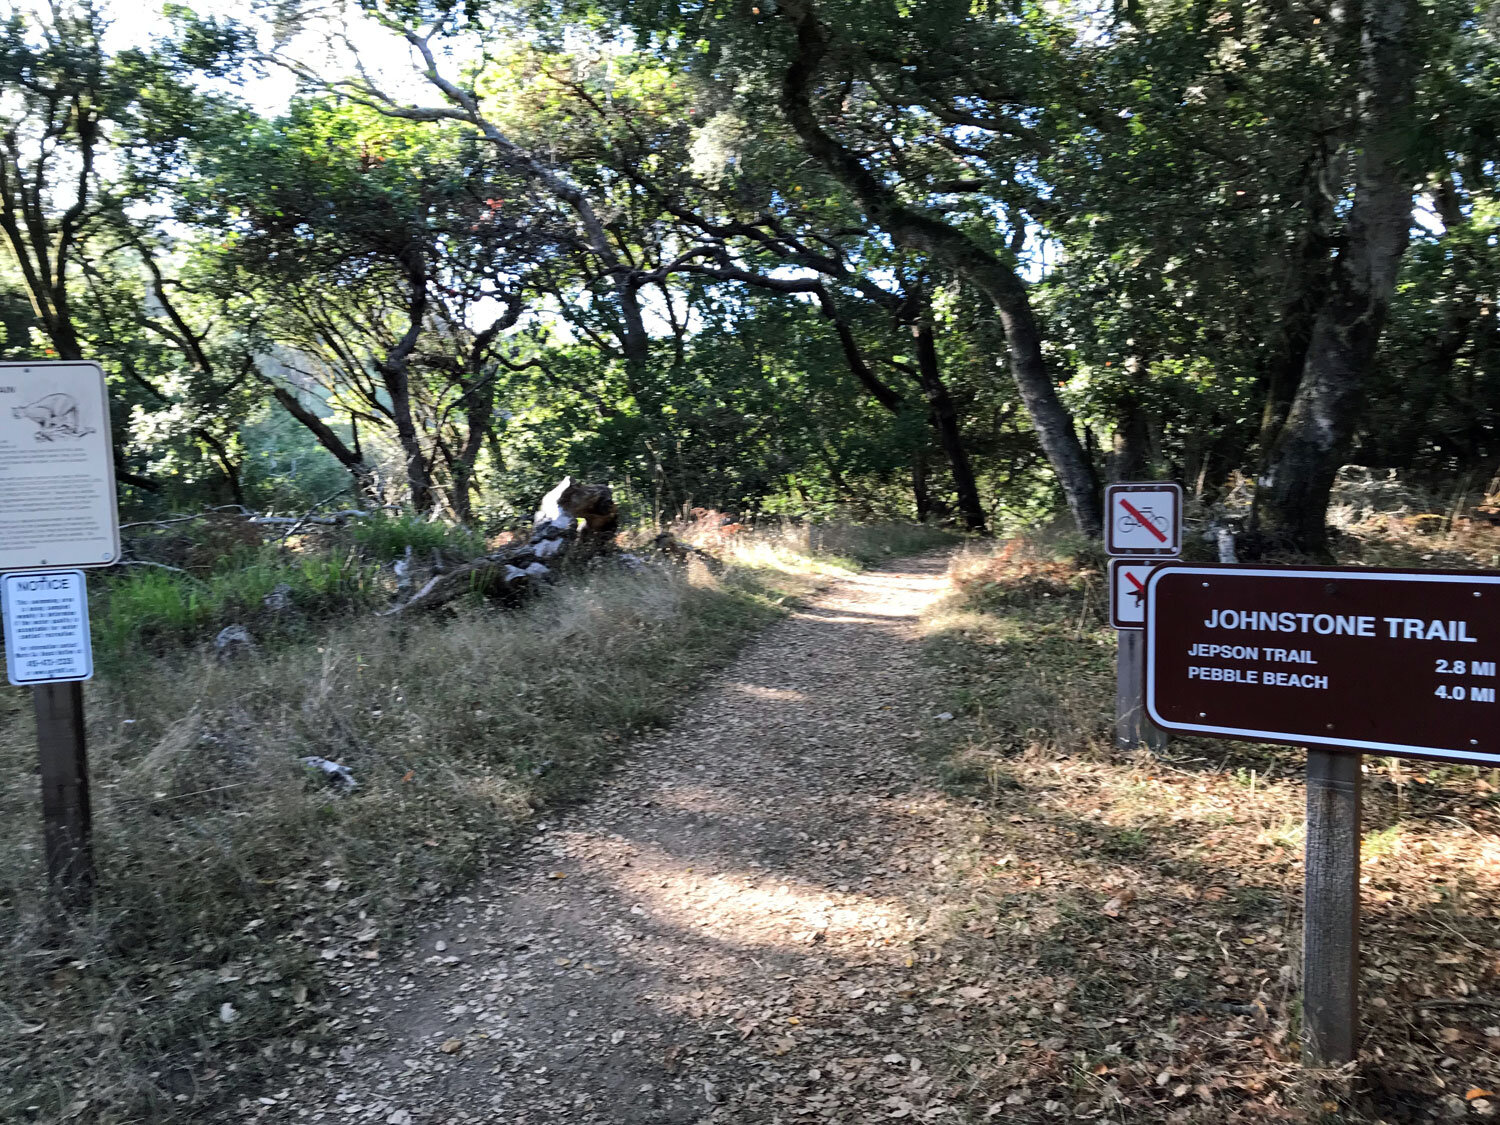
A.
x: 1145, y: 527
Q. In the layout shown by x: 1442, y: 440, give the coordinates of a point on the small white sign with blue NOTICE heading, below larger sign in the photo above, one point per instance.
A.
x: 46, y: 626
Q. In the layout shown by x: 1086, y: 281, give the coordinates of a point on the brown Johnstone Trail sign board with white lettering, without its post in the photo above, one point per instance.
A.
x: 1351, y: 659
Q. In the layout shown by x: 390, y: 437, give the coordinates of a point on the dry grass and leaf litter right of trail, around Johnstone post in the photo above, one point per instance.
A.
x: 1156, y: 901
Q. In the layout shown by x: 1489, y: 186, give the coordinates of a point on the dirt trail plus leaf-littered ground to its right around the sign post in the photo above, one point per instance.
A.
x: 775, y: 914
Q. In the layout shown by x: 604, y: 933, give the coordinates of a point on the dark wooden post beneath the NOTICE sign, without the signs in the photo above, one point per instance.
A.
x: 65, y: 793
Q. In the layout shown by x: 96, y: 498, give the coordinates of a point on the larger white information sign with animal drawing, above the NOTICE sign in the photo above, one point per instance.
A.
x: 58, y: 506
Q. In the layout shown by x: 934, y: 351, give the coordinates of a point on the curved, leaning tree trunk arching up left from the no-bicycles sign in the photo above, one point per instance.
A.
x: 959, y: 253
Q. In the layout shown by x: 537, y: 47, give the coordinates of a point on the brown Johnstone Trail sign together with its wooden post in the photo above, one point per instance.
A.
x: 1340, y: 661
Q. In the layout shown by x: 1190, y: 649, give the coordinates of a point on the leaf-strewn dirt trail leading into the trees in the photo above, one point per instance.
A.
x: 722, y: 934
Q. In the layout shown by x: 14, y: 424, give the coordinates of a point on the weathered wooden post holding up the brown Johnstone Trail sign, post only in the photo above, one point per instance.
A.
x: 1331, y: 910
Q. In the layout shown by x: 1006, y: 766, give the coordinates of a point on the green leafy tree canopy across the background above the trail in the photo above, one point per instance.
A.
x: 452, y: 296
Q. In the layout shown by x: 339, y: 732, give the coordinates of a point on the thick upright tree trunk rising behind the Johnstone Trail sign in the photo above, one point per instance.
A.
x: 1315, y: 440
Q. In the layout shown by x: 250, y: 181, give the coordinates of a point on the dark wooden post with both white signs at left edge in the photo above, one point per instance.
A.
x: 58, y: 473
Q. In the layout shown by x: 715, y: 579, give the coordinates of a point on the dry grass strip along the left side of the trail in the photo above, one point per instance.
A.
x: 230, y: 874
